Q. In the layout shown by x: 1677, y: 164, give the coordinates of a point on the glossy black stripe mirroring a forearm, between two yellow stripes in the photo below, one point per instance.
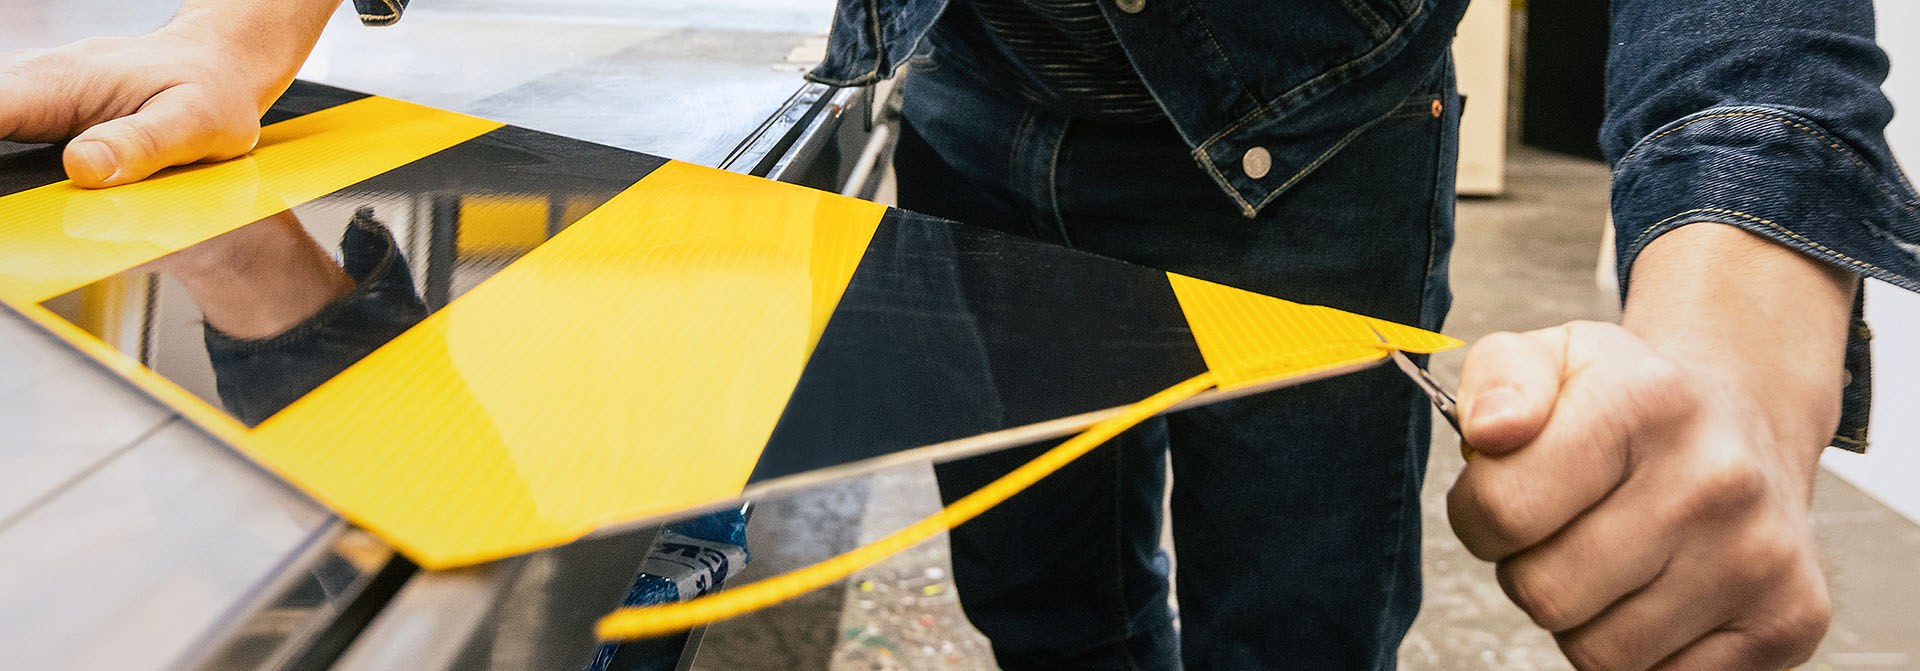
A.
x: 408, y: 241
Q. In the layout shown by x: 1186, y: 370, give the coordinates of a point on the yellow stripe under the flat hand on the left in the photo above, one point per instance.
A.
x: 62, y: 237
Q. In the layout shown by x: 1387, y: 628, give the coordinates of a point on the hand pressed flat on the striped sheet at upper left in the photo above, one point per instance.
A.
x: 193, y: 91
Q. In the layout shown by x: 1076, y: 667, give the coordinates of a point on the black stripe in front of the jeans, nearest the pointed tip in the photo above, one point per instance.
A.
x: 951, y: 332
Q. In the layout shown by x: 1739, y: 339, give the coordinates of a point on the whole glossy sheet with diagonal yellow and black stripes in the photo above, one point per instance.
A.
x: 479, y: 341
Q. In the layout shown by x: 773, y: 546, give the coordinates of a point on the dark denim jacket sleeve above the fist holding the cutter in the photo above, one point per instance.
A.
x: 1767, y: 116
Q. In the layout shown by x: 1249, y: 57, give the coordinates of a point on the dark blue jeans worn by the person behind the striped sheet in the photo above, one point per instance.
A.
x: 1297, y: 512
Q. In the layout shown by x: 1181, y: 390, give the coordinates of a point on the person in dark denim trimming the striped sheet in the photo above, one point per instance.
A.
x: 1643, y: 487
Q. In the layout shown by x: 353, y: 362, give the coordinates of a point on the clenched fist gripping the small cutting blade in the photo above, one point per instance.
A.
x: 1648, y: 509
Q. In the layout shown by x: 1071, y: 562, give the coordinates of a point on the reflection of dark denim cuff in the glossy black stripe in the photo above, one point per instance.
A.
x: 258, y: 378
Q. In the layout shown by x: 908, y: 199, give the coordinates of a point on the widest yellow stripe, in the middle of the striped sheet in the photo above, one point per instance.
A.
x: 635, y: 364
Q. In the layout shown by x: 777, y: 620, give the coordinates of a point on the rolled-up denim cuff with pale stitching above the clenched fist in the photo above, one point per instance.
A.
x: 1781, y: 176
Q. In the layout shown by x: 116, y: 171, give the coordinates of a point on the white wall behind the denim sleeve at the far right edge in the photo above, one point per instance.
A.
x: 1892, y: 468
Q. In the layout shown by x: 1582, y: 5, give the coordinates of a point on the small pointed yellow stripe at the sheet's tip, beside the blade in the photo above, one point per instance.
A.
x: 1251, y: 339
